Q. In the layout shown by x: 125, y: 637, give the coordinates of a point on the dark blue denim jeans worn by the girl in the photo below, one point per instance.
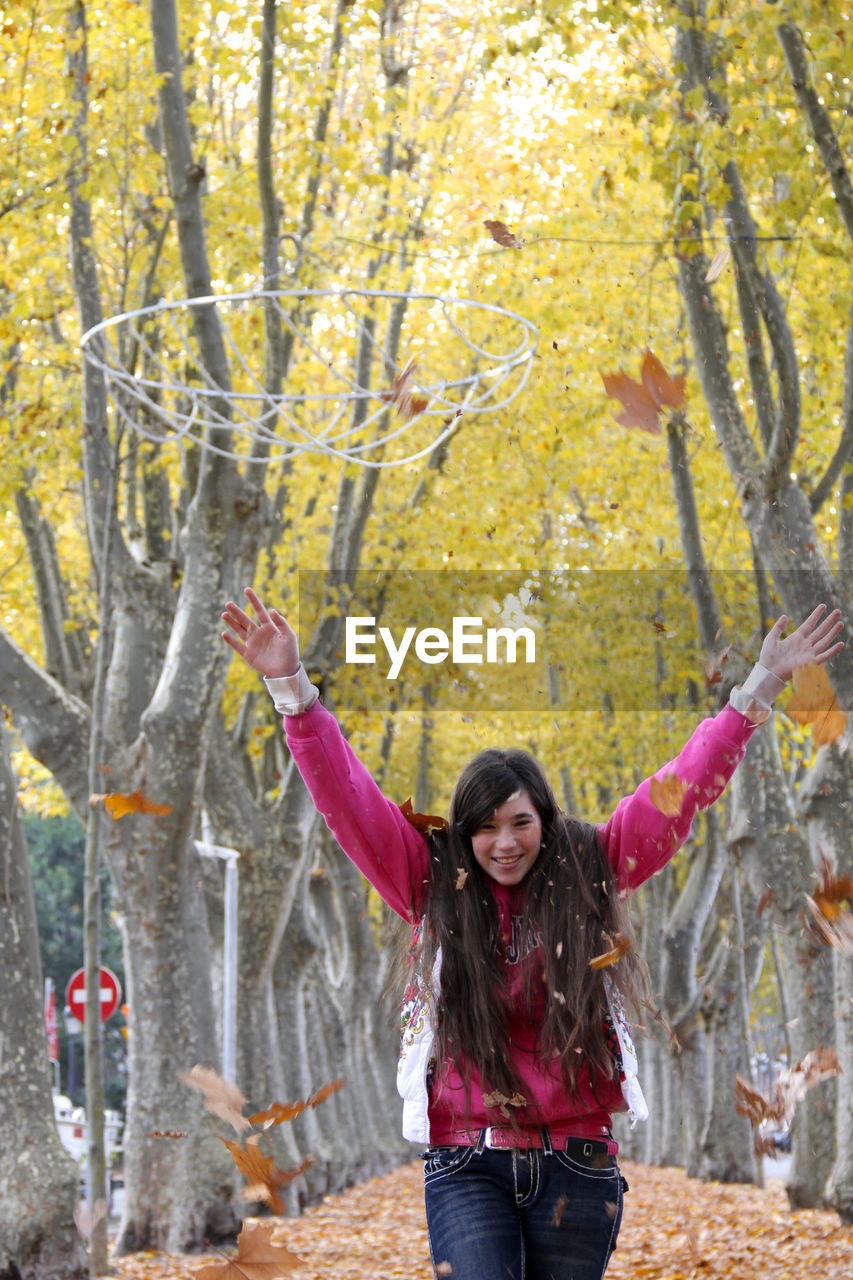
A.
x: 522, y: 1215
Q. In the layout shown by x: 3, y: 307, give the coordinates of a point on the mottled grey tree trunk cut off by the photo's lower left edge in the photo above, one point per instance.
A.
x: 39, y: 1240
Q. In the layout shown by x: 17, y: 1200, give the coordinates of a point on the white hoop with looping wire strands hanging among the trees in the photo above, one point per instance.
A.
x: 175, y: 397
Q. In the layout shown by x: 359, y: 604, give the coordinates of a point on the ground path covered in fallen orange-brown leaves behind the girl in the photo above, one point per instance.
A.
x: 676, y: 1228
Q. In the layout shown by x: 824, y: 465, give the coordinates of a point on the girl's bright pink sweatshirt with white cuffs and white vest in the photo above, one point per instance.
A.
x: 393, y: 854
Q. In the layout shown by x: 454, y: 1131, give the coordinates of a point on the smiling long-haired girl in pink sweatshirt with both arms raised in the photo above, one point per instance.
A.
x: 516, y: 1050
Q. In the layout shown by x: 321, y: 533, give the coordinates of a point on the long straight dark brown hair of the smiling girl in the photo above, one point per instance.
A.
x: 571, y: 903
